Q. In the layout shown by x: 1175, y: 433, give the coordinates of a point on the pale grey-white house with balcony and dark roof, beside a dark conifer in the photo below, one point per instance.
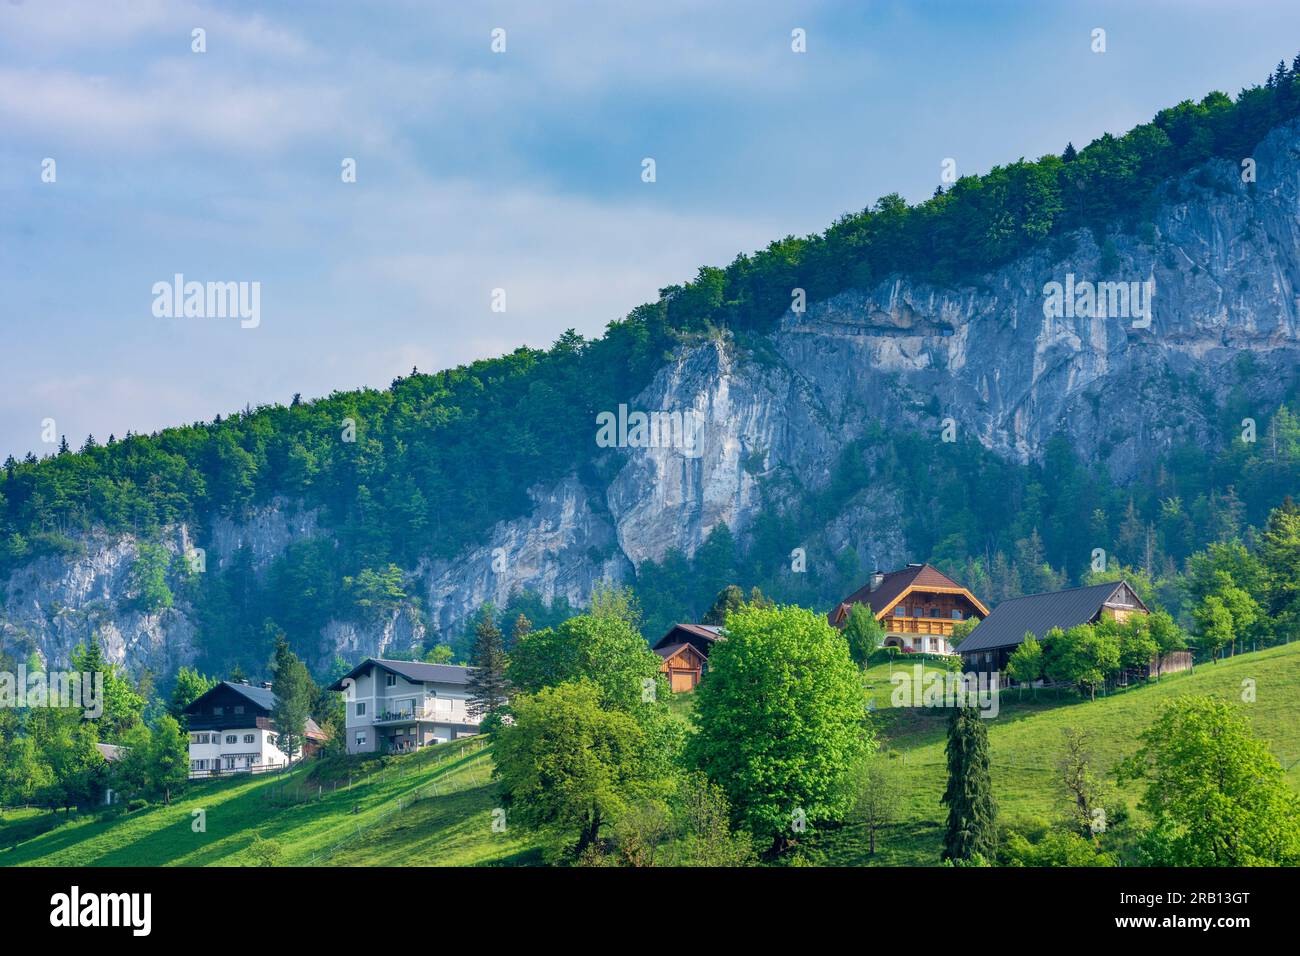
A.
x: 395, y: 707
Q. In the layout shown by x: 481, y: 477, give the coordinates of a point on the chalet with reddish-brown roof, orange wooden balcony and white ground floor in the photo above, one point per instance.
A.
x: 917, y: 607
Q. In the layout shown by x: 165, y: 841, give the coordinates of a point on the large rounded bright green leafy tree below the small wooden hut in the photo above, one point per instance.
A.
x: 781, y: 721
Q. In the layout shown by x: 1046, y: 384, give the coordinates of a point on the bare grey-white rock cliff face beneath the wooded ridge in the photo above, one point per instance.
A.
x: 985, y: 360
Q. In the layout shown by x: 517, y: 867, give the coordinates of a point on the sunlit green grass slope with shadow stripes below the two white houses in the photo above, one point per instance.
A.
x: 434, y: 808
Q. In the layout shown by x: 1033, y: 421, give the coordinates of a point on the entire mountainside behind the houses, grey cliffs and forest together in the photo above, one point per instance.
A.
x: 925, y: 405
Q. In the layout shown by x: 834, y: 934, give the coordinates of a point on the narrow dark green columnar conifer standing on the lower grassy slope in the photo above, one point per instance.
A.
x: 972, y: 810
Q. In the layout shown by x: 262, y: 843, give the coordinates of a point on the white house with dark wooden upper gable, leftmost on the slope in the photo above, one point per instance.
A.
x: 232, y: 732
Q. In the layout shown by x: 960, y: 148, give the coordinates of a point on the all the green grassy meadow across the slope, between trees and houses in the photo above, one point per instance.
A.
x: 435, y: 808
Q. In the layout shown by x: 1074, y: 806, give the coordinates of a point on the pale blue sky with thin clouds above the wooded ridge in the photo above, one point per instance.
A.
x: 479, y: 171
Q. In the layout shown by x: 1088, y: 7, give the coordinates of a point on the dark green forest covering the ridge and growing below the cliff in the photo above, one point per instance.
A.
x: 439, y: 458
